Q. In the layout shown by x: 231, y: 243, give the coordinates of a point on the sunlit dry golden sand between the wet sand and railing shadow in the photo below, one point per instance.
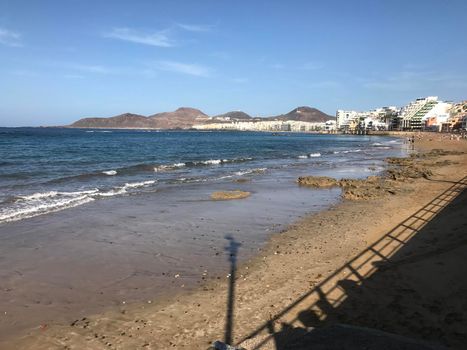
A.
x: 268, y: 282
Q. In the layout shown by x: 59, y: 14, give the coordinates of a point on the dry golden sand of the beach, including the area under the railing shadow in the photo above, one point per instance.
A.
x: 395, y: 261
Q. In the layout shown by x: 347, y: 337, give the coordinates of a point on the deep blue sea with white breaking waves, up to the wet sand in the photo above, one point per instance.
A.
x: 44, y: 170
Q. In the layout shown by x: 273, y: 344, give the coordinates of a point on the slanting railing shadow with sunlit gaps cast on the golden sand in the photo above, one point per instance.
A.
x: 317, y: 307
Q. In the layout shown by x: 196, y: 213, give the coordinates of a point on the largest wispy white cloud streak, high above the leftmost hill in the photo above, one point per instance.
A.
x: 160, y: 38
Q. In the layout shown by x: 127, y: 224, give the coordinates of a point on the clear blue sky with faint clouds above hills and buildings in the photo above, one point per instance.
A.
x: 63, y: 60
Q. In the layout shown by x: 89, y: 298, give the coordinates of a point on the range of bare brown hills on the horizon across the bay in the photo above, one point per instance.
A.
x: 185, y: 118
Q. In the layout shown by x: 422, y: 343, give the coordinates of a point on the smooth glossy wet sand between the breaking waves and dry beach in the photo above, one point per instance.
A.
x: 66, y: 265
